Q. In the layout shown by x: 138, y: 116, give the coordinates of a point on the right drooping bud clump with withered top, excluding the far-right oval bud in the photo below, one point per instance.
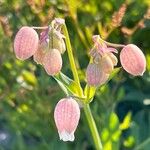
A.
x: 103, y: 63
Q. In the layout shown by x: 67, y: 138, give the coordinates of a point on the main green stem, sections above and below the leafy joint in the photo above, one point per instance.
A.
x: 86, y: 108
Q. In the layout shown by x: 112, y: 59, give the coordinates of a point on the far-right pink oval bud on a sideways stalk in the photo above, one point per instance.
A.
x: 133, y: 60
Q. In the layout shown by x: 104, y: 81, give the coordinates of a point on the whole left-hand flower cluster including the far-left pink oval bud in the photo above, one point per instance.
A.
x: 45, y: 50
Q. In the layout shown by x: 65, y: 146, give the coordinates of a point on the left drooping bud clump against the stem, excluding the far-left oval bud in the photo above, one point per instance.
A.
x: 51, y: 46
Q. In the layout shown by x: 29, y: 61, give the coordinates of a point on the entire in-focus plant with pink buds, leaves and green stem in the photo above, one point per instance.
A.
x: 47, y: 51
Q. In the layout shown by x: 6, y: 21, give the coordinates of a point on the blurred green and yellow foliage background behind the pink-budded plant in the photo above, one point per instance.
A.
x: 28, y: 95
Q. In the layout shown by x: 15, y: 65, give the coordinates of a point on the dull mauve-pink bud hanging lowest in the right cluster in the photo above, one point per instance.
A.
x: 95, y: 76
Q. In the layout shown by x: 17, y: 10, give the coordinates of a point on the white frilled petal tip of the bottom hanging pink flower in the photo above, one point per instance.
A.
x: 65, y: 136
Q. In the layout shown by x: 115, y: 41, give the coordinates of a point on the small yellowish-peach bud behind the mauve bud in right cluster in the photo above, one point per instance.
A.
x: 106, y: 64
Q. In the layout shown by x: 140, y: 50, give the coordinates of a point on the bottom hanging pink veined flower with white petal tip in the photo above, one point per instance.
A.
x: 67, y: 115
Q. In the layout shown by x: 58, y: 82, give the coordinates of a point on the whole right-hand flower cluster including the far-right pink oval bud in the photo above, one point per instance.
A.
x: 104, y: 61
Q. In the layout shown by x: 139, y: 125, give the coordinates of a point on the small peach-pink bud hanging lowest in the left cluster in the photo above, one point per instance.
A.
x: 52, y: 62
